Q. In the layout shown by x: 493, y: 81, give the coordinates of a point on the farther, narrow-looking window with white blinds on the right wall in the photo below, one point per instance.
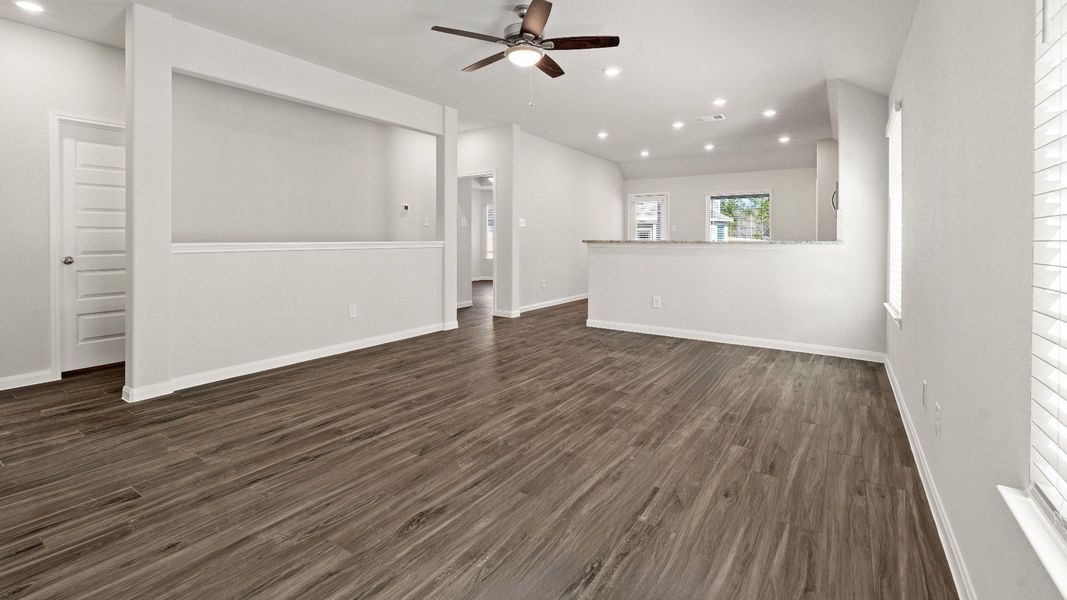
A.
x: 895, y: 256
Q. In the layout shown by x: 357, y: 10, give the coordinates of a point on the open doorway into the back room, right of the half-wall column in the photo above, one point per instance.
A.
x: 477, y: 247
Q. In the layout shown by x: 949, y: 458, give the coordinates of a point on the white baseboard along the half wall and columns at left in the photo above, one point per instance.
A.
x: 138, y: 394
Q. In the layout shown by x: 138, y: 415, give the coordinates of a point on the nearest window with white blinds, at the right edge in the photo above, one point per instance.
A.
x: 1049, y: 361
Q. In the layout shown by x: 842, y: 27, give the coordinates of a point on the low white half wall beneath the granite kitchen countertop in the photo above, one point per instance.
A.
x: 792, y: 297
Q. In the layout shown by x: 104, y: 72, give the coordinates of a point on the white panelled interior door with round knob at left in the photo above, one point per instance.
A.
x: 94, y: 246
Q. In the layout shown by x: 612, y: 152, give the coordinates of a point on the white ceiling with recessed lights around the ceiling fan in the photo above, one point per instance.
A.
x: 677, y: 57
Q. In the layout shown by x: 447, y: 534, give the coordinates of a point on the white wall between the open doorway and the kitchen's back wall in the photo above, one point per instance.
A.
x: 565, y: 196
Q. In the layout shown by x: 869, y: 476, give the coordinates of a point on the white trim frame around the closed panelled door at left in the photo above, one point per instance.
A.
x: 56, y: 122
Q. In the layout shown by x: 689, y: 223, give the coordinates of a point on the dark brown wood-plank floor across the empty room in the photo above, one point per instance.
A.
x: 512, y: 459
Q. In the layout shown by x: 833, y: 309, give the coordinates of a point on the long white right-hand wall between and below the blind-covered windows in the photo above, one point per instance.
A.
x: 967, y: 152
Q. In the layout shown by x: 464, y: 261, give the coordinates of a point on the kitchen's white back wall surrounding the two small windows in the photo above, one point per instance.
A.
x: 792, y: 202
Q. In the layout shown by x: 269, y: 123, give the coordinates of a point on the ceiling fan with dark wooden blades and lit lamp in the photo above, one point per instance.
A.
x: 527, y: 43
